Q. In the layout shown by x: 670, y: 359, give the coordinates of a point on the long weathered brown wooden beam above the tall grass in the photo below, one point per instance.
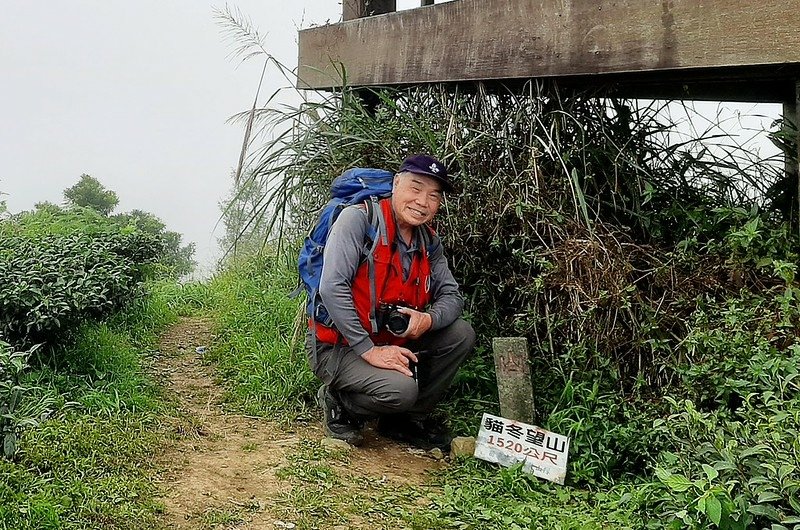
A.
x: 469, y: 40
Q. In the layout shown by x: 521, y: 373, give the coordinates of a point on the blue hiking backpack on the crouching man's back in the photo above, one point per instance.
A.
x: 354, y: 186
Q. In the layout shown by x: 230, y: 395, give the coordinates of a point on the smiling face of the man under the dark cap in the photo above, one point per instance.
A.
x: 415, y: 199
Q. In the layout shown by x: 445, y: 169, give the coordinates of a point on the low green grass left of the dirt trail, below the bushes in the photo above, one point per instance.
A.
x: 91, y: 464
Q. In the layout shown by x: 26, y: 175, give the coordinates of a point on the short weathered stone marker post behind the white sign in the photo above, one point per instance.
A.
x: 514, y: 384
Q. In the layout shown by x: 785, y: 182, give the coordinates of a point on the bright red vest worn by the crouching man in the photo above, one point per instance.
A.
x: 389, y: 285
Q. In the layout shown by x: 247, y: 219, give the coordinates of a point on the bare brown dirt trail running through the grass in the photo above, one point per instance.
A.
x: 222, y: 462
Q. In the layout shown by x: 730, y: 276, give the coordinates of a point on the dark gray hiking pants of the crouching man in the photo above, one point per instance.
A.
x: 367, y: 391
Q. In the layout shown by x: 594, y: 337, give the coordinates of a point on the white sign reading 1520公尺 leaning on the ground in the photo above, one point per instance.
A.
x: 508, y: 442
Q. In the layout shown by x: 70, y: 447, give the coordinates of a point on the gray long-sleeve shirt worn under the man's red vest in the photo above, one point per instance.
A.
x: 342, y: 257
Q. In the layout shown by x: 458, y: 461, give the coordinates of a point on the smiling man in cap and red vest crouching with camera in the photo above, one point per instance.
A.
x: 399, y: 376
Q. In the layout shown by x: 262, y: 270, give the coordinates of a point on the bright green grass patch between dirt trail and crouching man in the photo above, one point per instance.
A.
x: 259, y: 346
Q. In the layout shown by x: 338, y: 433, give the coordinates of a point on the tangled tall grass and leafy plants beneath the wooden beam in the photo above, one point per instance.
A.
x: 655, y: 279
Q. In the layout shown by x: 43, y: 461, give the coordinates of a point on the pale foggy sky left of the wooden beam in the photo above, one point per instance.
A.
x: 137, y: 95
